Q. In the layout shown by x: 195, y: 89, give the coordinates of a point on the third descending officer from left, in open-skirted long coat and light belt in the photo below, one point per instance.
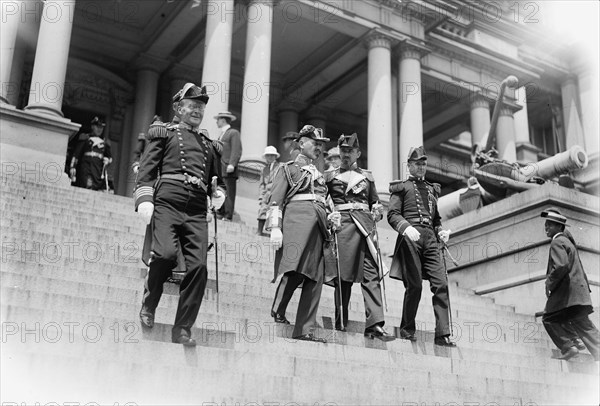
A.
x: 355, y: 198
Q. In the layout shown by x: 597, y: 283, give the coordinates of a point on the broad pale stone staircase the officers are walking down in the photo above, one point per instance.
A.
x: 71, y: 285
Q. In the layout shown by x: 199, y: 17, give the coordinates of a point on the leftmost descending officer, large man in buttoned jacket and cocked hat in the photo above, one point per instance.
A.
x: 176, y: 206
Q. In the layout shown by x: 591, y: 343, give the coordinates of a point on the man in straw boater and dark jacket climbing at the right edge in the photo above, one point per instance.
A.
x: 566, y: 315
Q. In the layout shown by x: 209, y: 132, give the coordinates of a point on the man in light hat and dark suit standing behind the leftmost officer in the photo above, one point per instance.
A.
x: 230, y: 158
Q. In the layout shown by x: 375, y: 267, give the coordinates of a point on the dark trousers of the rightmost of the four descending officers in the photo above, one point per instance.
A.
x: 432, y: 269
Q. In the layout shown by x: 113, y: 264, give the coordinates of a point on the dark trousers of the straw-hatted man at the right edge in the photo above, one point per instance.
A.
x: 568, y: 324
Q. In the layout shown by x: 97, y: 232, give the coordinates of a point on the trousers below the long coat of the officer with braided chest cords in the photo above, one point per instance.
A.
x: 309, y: 300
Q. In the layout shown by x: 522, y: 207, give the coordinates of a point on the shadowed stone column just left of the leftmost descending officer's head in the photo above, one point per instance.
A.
x: 146, y: 89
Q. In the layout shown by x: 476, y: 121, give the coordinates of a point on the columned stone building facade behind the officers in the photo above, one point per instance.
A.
x: 398, y: 73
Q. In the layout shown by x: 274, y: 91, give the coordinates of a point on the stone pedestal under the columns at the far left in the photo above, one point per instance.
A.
x: 34, y: 145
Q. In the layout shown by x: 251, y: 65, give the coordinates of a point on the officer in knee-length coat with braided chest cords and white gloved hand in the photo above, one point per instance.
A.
x: 299, y: 193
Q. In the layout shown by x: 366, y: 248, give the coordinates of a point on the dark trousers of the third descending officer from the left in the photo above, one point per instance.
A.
x: 371, y: 290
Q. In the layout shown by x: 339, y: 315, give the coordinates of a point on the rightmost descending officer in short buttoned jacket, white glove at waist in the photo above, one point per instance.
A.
x: 413, y: 213
